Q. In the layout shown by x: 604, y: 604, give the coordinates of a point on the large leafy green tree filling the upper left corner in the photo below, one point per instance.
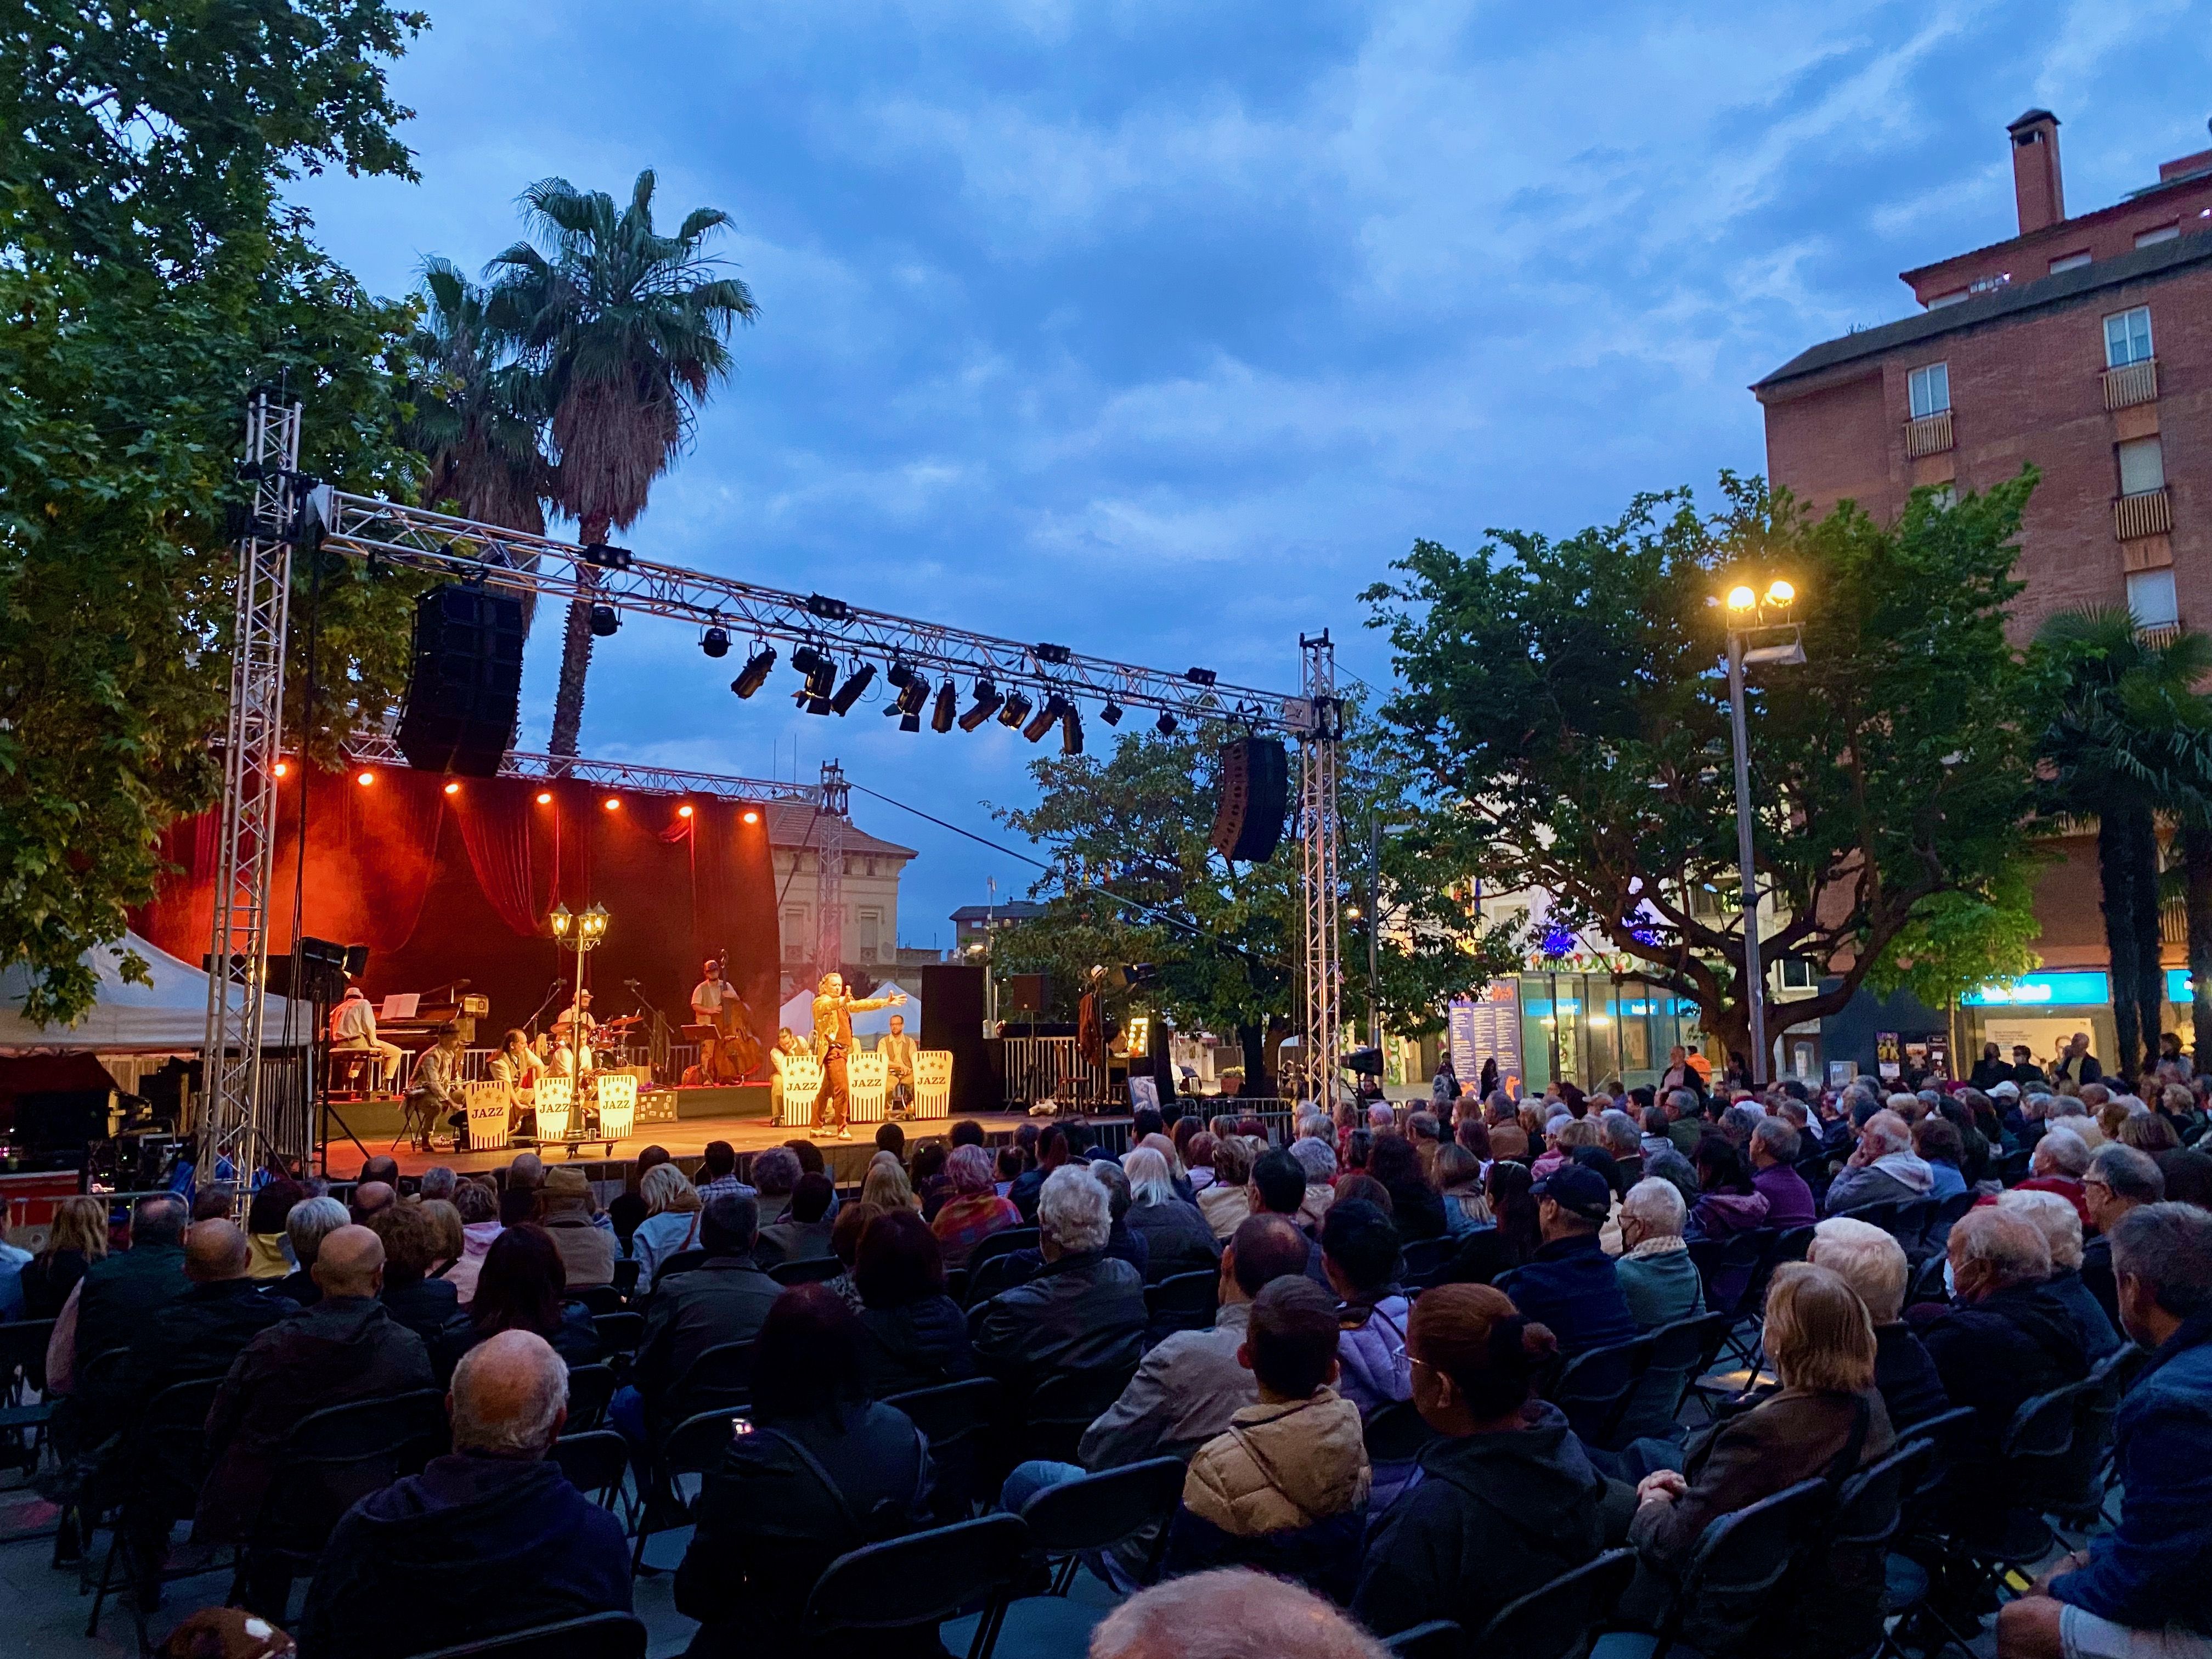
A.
x: 152, y: 280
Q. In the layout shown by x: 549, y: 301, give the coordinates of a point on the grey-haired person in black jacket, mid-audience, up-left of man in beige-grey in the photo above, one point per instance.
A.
x: 1085, y: 1311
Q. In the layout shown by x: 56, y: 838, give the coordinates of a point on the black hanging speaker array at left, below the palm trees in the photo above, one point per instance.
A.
x: 466, y: 682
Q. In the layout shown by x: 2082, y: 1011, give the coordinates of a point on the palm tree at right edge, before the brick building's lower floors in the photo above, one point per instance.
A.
x: 2125, y: 742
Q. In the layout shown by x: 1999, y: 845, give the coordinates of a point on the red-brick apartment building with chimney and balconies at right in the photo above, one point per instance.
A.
x: 2083, y: 346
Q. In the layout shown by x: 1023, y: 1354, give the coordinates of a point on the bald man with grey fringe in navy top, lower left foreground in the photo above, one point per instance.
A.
x: 486, y: 1541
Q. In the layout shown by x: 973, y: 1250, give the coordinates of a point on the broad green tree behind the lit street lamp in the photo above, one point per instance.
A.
x: 1563, y: 702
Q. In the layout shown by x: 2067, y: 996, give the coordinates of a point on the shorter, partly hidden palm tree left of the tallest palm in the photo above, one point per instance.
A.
x: 477, y: 417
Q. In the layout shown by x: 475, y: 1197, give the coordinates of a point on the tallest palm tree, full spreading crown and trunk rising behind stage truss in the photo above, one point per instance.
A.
x: 625, y: 333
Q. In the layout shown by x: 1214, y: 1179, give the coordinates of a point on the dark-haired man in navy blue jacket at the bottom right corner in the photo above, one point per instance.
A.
x: 2145, y: 1587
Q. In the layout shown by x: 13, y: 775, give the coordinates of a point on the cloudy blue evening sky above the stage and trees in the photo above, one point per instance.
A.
x: 1162, y: 328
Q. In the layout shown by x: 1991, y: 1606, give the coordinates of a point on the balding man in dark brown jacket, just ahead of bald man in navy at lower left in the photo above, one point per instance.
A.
x: 346, y: 1348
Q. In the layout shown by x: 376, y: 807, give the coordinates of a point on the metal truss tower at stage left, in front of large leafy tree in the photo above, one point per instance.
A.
x: 231, y: 1112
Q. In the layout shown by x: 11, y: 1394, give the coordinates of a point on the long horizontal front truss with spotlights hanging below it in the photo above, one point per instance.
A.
x: 457, y: 547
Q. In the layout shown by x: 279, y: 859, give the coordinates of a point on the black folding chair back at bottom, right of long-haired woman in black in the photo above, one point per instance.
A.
x: 921, y: 1580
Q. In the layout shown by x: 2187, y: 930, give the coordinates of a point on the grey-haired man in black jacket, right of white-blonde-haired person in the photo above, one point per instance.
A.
x: 2001, y: 1342
